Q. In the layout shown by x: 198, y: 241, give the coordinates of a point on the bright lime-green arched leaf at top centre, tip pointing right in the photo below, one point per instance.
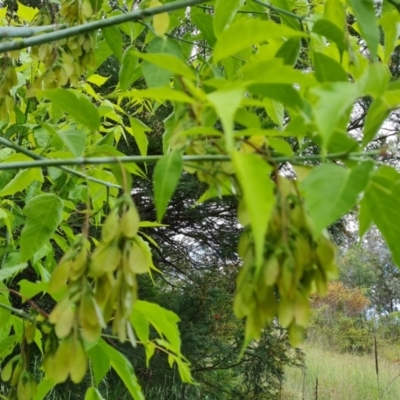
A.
x: 248, y: 32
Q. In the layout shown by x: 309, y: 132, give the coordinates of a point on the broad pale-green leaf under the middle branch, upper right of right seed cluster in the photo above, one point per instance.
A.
x: 340, y: 185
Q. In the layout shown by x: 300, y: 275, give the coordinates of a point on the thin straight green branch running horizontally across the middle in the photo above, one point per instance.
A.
x: 199, y: 158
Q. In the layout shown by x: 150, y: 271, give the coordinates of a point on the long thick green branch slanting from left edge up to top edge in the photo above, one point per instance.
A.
x: 133, y: 16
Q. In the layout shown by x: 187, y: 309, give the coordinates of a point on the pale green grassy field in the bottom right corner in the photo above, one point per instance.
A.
x: 342, y: 376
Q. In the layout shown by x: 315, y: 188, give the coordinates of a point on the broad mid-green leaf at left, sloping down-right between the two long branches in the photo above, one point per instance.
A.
x: 77, y: 105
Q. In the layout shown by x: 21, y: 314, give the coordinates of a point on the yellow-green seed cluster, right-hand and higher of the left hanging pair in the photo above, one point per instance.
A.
x: 121, y: 255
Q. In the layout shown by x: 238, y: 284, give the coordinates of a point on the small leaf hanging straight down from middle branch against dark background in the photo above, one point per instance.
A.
x: 166, y: 176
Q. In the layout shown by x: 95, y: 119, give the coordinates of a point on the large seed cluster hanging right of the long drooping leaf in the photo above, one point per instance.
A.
x: 297, y: 263
